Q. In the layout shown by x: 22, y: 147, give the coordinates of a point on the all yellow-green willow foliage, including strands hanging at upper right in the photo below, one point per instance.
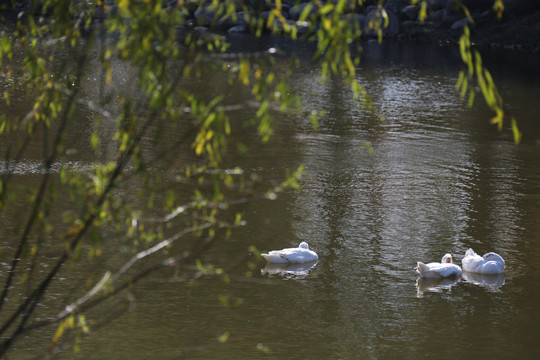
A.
x: 47, y: 58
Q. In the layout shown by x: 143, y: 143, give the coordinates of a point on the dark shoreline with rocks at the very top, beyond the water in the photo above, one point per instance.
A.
x: 518, y: 30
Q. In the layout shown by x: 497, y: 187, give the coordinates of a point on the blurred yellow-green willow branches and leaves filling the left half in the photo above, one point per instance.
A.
x: 47, y: 58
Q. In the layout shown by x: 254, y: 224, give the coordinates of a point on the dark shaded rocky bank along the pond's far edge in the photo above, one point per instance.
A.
x: 517, y: 29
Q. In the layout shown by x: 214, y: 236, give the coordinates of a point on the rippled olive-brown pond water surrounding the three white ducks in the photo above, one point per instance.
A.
x: 440, y: 179
